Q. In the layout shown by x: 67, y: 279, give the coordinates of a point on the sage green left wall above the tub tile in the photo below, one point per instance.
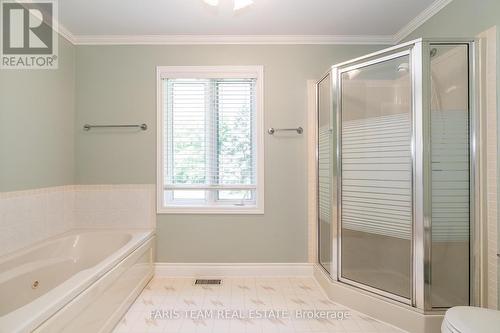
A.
x: 37, y: 116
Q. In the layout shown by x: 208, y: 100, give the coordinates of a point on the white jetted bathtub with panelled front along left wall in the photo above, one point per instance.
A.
x: 81, y: 281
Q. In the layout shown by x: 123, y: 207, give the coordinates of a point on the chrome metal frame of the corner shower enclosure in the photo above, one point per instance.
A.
x: 419, y: 52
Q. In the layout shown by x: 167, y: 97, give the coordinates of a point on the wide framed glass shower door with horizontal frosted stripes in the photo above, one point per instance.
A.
x: 376, y: 206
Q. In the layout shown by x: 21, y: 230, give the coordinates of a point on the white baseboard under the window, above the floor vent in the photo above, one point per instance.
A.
x: 232, y: 269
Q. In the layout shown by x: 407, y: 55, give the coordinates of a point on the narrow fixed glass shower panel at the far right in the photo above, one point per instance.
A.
x: 450, y: 178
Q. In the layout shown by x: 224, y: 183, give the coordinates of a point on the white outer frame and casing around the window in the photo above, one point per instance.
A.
x: 211, y: 72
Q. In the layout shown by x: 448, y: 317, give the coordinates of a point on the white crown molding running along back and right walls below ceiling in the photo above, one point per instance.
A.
x: 425, y: 15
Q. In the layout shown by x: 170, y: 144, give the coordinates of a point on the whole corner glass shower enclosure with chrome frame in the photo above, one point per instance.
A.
x: 397, y: 173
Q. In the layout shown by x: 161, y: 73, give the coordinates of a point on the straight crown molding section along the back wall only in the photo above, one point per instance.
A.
x: 228, y: 39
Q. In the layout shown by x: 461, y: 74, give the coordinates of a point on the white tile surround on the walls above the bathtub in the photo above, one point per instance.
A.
x: 30, y: 216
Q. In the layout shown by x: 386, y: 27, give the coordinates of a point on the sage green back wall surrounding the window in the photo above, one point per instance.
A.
x: 117, y: 84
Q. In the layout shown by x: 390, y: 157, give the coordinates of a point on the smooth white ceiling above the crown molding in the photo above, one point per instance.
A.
x: 344, y: 18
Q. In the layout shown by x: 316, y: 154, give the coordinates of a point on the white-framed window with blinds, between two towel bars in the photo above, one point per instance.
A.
x: 210, y: 143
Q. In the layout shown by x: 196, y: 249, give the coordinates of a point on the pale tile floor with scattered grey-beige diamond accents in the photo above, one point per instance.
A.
x: 169, y: 305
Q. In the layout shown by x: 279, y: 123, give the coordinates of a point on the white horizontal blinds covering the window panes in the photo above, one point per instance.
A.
x: 209, y: 141
